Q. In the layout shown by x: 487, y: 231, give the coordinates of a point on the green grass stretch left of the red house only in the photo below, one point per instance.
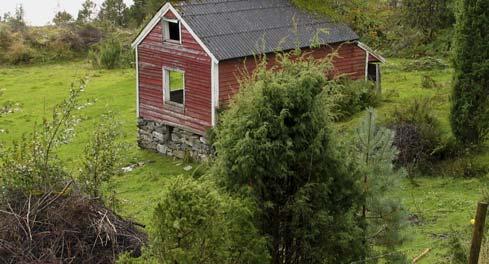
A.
x: 39, y: 88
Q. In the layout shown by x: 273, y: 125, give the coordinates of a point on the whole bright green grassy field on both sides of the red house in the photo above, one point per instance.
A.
x: 440, y: 204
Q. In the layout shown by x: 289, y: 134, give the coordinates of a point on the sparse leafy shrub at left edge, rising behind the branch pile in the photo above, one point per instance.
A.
x: 31, y: 165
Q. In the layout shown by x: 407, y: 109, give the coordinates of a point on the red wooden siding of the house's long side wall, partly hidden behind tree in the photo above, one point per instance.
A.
x: 351, y: 61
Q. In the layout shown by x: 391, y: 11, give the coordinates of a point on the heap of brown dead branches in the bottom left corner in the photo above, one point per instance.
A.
x: 61, y: 228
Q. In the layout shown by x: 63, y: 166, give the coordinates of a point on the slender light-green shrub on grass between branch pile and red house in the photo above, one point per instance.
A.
x: 102, y: 156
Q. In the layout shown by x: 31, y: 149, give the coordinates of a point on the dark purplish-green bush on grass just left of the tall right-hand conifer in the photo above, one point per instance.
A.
x: 418, y: 134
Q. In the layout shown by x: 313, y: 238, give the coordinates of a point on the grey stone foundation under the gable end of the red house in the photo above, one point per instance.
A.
x: 172, y: 141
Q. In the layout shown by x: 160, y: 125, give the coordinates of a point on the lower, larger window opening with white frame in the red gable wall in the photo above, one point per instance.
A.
x: 174, y: 86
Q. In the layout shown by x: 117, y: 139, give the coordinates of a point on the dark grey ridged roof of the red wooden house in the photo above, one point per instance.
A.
x: 238, y: 28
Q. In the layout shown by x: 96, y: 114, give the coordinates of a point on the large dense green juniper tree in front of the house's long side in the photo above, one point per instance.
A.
x: 276, y: 144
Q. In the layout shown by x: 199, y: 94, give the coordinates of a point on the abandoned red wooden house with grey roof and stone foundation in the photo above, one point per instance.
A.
x: 190, y: 54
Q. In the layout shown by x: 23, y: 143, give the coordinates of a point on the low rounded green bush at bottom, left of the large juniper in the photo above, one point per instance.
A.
x: 194, y: 223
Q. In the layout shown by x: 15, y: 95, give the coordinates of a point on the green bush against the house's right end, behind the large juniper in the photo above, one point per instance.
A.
x: 350, y: 97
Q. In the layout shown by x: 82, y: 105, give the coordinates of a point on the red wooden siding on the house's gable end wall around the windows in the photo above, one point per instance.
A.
x: 154, y: 55
